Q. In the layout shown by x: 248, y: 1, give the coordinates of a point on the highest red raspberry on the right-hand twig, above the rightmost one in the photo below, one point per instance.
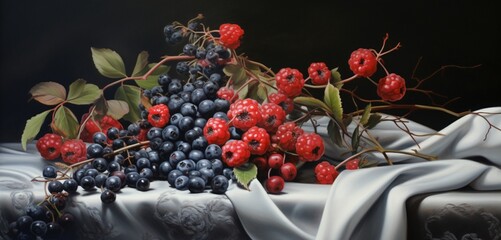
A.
x: 363, y: 62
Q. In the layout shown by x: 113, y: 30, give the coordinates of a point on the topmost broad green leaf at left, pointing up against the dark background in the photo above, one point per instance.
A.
x: 108, y: 62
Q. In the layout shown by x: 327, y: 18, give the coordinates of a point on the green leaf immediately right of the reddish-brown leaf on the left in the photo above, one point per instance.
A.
x: 82, y: 93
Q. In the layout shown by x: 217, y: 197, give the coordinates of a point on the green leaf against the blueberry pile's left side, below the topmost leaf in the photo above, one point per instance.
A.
x: 132, y: 96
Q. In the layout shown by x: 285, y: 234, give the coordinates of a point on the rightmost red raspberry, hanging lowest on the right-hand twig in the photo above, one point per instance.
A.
x: 391, y: 88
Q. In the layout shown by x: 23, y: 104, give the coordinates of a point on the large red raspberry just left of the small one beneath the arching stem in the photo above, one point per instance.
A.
x: 290, y: 81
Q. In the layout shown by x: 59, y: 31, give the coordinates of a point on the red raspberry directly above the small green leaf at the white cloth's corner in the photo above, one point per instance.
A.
x: 235, y: 153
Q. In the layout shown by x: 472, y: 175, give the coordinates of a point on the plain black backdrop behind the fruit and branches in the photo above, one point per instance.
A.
x: 50, y: 41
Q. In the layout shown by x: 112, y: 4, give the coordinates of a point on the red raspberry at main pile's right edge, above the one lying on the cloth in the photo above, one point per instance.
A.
x: 310, y: 147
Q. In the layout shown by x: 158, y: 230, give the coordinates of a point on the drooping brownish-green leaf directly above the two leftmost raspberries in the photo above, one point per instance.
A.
x: 65, y: 123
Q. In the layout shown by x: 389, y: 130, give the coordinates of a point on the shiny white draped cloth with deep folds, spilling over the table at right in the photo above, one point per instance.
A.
x: 370, y: 203
